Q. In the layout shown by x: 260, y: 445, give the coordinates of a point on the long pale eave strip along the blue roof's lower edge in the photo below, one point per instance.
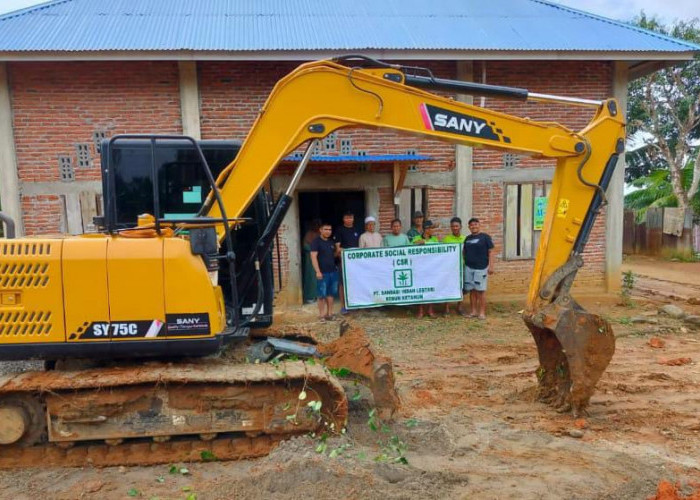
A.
x: 665, y: 58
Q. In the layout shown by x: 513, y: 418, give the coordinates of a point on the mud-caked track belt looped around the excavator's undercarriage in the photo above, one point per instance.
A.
x: 181, y: 448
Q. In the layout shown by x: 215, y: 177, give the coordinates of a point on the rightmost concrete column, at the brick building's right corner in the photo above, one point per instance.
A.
x: 615, y: 208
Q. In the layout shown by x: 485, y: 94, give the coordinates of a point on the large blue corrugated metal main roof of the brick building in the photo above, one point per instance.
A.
x: 307, y: 25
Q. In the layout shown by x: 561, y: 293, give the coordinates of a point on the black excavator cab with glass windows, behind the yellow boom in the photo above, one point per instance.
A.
x: 174, y: 170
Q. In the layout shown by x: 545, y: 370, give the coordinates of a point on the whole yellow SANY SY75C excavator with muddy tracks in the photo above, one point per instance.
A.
x: 151, y: 302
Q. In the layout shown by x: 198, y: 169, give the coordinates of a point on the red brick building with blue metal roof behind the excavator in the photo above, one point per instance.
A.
x: 73, y: 71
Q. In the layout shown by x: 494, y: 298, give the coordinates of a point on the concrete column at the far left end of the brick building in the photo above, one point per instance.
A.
x: 9, y: 181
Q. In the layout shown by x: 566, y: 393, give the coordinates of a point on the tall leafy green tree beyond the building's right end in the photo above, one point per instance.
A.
x: 665, y: 107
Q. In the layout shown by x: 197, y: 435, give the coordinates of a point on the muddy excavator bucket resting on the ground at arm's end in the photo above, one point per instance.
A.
x: 574, y: 348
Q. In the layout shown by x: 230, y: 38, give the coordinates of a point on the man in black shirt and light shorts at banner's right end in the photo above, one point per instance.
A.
x: 478, y: 264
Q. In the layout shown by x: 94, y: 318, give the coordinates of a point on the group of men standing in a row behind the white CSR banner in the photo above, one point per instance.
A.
x: 477, y: 250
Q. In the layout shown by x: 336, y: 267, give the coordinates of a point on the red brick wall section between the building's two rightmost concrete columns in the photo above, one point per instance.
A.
x: 592, y: 80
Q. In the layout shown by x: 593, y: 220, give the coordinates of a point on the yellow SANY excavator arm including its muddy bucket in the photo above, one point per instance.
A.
x: 321, y: 97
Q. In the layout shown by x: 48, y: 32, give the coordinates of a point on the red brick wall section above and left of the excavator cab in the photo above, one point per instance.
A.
x: 56, y: 105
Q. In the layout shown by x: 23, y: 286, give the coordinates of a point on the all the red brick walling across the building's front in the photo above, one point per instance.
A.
x: 56, y: 105
